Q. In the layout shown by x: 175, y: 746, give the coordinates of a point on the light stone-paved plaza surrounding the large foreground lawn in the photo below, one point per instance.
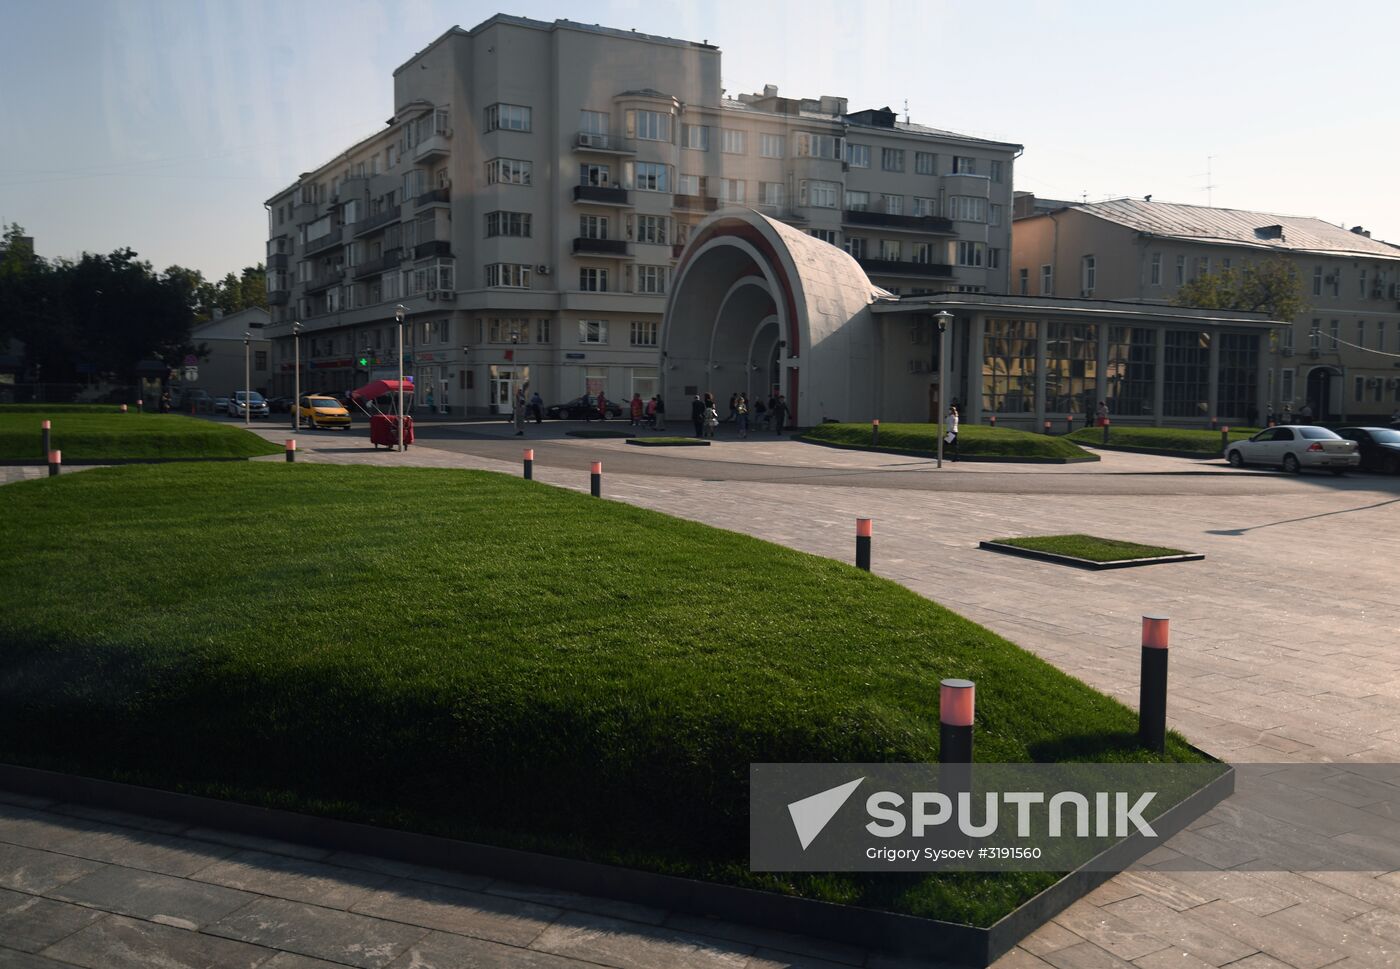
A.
x: 1282, y: 652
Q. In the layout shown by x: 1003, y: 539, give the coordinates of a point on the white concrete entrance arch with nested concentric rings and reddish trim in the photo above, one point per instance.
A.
x: 744, y: 272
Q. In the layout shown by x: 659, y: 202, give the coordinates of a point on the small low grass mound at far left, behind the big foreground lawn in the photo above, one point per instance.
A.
x: 85, y: 436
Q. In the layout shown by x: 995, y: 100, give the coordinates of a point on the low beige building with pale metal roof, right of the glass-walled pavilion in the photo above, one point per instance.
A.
x: 1342, y: 355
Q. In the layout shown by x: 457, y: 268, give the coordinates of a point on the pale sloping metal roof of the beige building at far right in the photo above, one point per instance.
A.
x: 1256, y: 230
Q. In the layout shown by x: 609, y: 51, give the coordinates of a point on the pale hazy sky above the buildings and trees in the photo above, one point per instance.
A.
x: 164, y: 127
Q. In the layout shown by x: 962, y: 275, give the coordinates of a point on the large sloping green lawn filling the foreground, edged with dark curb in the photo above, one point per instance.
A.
x: 484, y: 657
